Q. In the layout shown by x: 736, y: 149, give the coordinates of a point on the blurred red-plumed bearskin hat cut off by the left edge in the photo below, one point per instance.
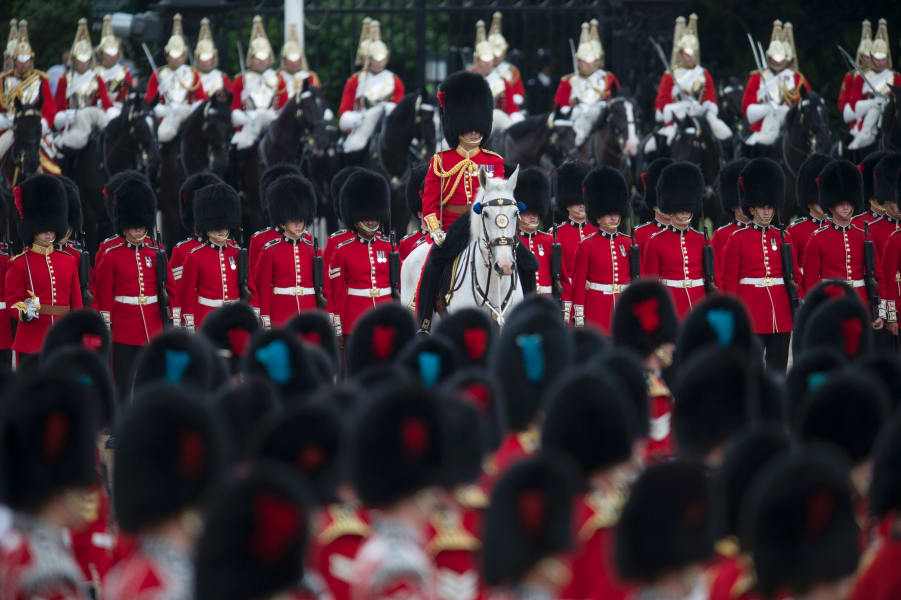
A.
x: 48, y: 427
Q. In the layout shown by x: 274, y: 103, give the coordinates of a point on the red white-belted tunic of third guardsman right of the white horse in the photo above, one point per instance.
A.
x: 601, y: 275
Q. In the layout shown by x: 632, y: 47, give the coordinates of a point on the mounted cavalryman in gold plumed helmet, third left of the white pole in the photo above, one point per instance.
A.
x: 176, y: 87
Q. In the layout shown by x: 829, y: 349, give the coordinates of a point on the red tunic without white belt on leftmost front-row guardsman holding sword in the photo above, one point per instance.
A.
x: 53, y: 277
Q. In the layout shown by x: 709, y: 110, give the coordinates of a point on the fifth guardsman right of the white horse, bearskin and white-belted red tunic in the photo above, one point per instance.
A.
x: 675, y: 255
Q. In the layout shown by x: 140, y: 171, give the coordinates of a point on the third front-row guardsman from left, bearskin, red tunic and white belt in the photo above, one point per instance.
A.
x: 210, y: 276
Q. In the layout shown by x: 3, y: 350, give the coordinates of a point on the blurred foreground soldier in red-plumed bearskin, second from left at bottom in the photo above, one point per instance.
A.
x: 169, y: 453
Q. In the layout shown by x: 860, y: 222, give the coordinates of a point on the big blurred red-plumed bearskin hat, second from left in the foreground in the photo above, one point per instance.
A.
x: 169, y: 453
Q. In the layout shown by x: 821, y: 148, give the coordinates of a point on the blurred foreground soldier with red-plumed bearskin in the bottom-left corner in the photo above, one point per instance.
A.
x: 44, y: 484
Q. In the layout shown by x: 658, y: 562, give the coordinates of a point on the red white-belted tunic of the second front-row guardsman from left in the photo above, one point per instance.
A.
x: 127, y: 274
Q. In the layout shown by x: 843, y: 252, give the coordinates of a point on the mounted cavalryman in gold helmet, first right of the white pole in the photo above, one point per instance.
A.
x: 370, y: 93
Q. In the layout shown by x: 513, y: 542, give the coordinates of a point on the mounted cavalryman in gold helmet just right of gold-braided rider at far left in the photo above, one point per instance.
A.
x: 82, y: 102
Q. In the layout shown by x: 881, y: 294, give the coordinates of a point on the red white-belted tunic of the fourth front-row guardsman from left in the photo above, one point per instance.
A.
x: 284, y: 279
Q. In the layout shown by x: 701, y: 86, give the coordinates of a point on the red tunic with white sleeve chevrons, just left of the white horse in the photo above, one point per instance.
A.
x: 360, y: 279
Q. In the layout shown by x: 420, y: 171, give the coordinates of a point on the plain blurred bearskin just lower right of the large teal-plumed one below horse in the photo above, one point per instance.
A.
x: 590, y: 418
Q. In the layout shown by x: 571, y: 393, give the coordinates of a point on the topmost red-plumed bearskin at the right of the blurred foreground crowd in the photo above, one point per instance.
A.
x: 842, y: 324
